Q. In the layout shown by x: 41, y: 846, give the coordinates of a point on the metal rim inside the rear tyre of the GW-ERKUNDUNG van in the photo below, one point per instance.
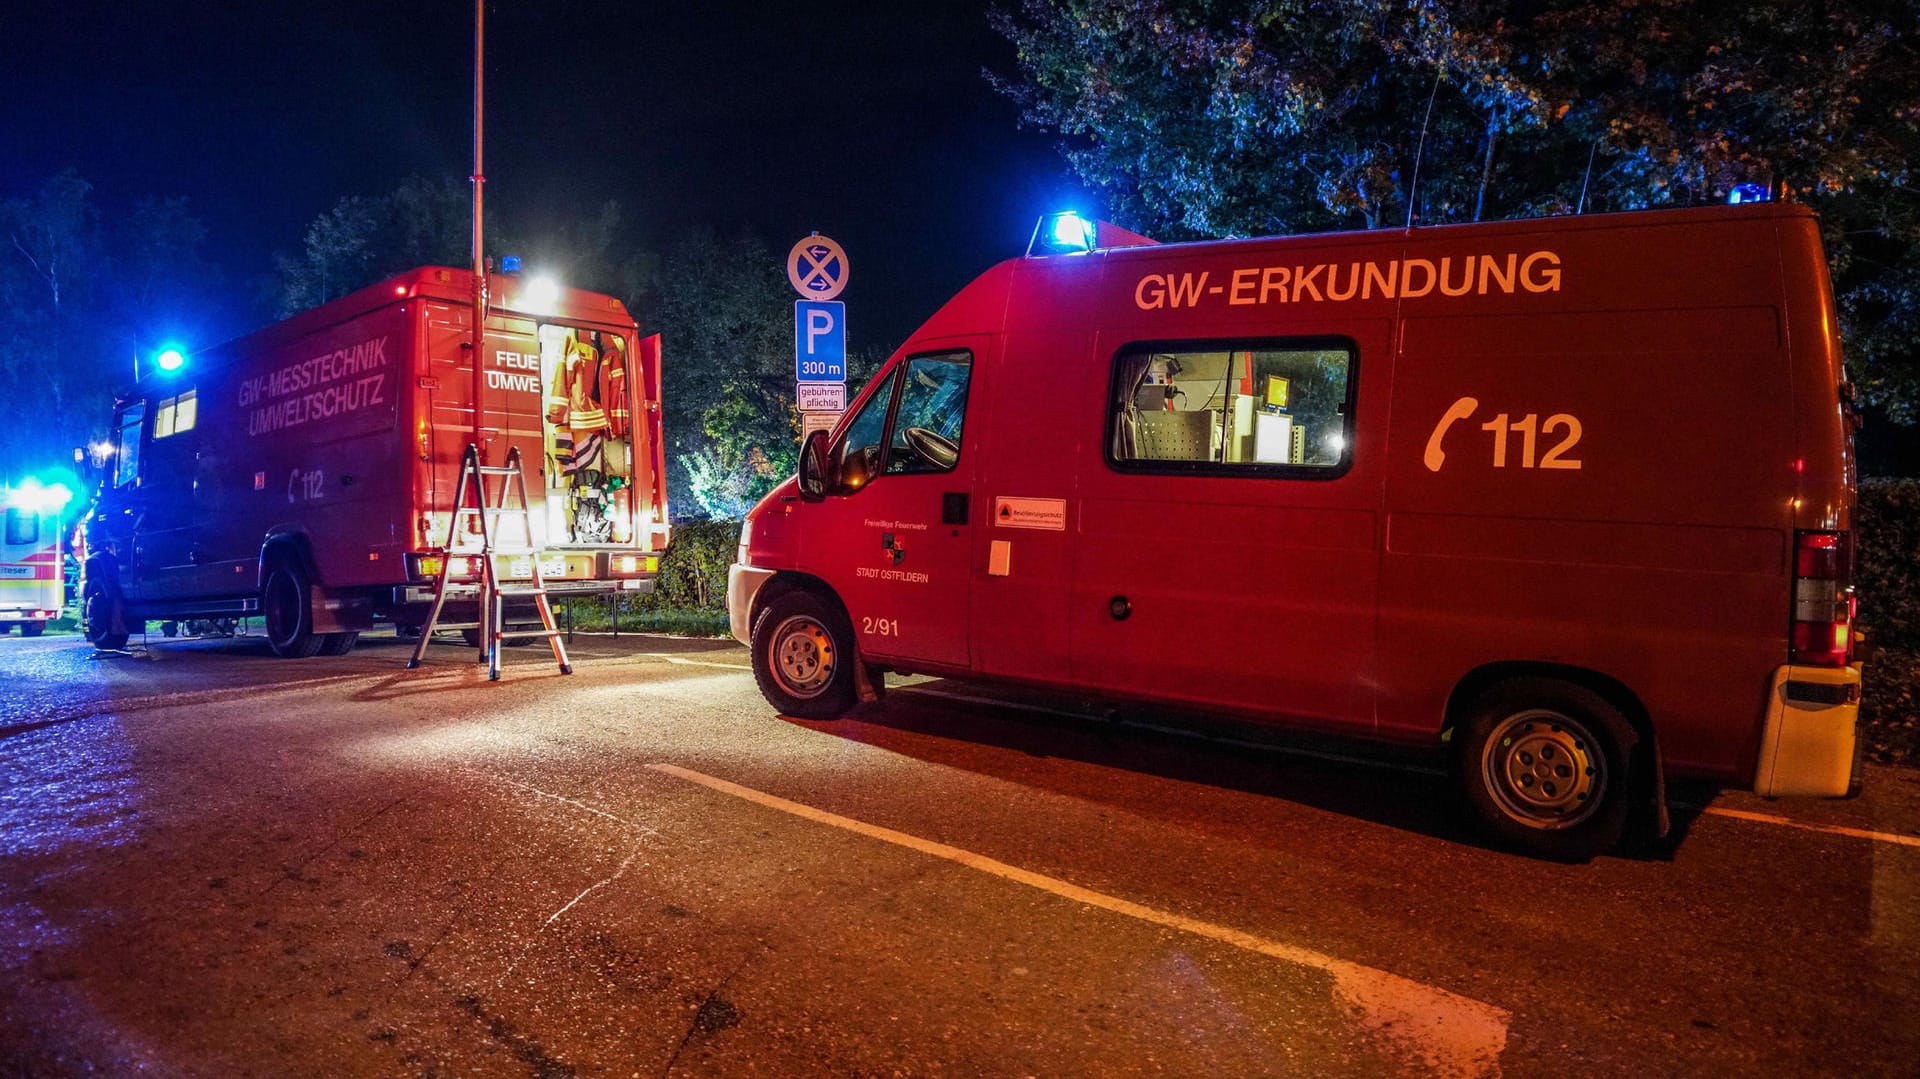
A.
x: 1545, y: 769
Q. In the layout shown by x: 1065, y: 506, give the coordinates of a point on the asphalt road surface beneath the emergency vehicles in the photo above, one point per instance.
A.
x: 216, y: 863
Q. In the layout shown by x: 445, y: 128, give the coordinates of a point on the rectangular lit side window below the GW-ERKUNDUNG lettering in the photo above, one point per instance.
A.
x: 1278, y: 408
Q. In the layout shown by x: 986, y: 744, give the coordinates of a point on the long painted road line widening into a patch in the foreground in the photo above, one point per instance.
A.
x: 1443, y: 1030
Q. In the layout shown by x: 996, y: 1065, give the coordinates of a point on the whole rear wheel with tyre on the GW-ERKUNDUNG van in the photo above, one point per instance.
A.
x: 1545, y: 765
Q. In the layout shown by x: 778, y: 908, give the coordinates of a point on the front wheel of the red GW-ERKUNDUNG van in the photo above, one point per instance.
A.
x: 804, y: 658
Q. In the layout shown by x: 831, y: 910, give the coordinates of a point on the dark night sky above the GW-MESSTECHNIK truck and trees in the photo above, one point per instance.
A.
x: 869, y: 122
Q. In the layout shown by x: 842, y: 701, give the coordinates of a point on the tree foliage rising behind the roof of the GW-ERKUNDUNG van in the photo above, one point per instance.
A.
x: 1203, y: 118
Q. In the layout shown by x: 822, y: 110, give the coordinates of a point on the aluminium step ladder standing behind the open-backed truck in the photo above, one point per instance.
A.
x: 471, y: 504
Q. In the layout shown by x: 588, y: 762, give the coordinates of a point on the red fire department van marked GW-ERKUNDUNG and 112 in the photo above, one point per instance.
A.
x: 1572, y: 496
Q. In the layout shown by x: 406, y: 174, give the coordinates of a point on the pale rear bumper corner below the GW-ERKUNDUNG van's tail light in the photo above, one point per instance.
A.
x: 1810, y: 742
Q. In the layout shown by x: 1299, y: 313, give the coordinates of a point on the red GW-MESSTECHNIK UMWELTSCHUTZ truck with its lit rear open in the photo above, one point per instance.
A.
x: 308, y: 471
